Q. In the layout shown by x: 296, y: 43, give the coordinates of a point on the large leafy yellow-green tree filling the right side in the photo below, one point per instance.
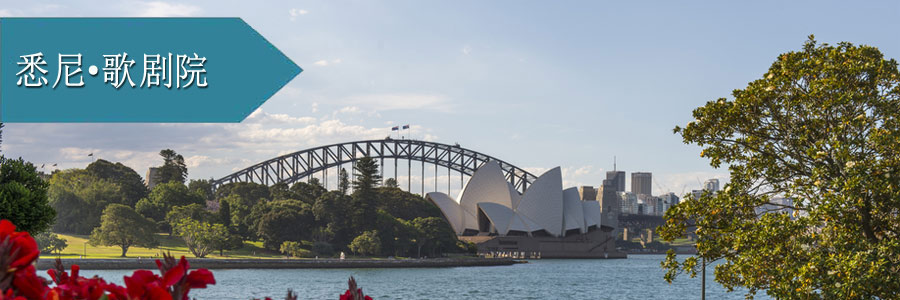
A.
x: 820, y: 129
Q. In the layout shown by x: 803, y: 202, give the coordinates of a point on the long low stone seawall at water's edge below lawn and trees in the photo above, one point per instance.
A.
x: 208, y: 263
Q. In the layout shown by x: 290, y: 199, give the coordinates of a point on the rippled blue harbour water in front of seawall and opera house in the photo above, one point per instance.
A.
x: 638, y: 277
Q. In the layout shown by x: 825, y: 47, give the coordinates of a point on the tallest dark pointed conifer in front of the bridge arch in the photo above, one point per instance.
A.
x: 364, y: 194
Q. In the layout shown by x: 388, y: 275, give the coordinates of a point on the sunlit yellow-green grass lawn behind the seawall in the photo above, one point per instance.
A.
x: 78, y: 245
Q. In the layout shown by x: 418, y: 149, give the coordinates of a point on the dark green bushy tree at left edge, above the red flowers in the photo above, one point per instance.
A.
x: 23, y: 196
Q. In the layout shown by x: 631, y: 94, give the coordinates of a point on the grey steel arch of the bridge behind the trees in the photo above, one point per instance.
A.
x: 290, y: 168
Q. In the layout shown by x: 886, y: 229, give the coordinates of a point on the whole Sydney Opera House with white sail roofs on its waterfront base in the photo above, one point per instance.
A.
x: 545, y: 221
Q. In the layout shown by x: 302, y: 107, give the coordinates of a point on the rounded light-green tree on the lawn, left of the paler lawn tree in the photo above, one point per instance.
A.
x: 123, y: 227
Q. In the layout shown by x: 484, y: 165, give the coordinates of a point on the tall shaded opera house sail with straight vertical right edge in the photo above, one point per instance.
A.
x: 543, y: 202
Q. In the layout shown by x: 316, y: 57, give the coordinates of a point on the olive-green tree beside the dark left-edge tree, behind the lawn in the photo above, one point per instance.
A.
x: 79, y: 198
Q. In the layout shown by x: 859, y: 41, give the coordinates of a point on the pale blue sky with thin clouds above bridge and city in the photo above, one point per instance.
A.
x: 538, y: 84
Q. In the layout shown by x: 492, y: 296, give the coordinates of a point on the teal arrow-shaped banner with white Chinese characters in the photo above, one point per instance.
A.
x: 136, y: 70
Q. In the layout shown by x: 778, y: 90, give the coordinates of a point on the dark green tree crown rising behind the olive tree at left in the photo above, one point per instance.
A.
x: 129, y: 181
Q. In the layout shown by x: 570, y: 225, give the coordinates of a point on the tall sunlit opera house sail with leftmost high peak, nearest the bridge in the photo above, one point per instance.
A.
x: 487, y: 185
